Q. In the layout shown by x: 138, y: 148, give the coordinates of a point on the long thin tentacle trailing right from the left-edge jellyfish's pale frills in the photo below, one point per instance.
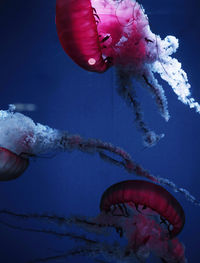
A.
x: 102, y: 148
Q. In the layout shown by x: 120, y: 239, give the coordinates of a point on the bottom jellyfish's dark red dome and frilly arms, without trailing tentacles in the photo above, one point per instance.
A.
x: 148, y: 215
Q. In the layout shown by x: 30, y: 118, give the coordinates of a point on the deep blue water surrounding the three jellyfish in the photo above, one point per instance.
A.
x: 34, y: 69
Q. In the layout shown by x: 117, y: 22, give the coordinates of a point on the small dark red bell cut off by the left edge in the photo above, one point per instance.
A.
x: 11, y: 165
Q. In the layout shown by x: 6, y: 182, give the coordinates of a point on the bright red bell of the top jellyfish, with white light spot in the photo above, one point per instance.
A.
x: 78, y: 34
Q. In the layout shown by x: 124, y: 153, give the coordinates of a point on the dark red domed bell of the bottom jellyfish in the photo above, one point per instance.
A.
x: 144, y: 193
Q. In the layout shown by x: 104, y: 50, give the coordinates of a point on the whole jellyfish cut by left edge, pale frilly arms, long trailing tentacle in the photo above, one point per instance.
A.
x: 21, y: 138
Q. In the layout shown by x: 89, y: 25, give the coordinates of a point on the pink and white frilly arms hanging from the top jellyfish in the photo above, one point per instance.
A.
x: 143, y: 56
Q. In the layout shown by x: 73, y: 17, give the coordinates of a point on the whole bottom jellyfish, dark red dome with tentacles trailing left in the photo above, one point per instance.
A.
x: 144, y: 213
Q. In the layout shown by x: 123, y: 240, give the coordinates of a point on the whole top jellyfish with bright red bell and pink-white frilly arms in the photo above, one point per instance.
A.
x: 98, y: 34
